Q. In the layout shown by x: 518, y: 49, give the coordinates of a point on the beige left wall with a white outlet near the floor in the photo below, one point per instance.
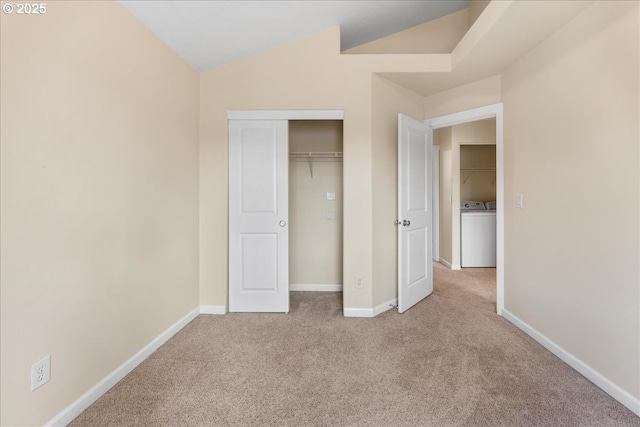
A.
x: 99, y: 200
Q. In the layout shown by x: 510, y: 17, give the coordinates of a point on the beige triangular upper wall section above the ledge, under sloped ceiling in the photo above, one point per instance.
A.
x: 437, y: 36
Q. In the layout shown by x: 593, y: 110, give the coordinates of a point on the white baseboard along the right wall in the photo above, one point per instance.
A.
x: 622, y: 396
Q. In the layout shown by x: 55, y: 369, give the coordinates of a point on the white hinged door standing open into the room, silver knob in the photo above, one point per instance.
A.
x: 415, y: 263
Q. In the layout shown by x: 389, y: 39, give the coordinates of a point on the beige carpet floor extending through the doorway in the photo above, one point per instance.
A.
x: 448, y: 361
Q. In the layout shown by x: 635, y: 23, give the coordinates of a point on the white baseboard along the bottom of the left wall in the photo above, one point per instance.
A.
x: 83, y: 402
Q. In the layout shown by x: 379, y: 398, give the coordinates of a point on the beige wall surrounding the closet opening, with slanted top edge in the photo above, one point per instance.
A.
x: 307, y: 74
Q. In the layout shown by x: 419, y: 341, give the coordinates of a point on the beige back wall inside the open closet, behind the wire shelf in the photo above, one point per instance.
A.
x: 315, y: 239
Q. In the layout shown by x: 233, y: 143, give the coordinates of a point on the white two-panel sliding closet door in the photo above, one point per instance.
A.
x: 258, y: 216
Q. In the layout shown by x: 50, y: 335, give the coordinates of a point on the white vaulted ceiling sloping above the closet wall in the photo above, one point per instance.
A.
x: 211, y: 33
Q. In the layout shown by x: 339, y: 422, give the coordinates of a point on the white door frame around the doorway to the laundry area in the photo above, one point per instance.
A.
x: 487, y: 112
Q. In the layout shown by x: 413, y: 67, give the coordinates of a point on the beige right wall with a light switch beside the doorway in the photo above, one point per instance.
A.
x: 571, y: 110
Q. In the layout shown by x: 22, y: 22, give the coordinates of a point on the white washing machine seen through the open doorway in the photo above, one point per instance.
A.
x: 477, y: 234
